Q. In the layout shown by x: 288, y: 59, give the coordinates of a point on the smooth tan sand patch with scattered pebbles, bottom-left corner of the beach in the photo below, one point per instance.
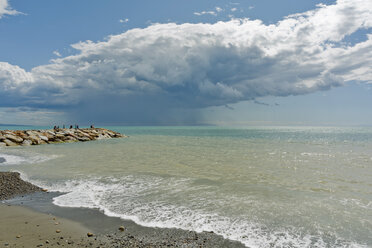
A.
x: 22, y: 227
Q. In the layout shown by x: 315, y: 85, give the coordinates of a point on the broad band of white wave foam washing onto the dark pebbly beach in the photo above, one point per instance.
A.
x: 132, y: 198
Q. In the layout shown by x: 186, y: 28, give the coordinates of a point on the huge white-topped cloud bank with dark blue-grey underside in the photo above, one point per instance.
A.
x: 191, y: 66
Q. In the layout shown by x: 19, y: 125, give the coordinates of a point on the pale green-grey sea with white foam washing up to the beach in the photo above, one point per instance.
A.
x: 262, y: 186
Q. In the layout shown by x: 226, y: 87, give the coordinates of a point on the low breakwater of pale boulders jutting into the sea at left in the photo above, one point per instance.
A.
x: 50, y: 136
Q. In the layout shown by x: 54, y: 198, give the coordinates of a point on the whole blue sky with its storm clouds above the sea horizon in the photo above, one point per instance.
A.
x: 186, y: 62
